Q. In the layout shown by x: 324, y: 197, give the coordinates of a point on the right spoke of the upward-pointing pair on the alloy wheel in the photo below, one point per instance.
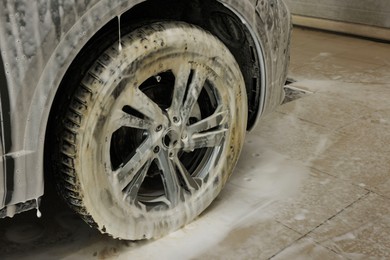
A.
x: 194, y: 89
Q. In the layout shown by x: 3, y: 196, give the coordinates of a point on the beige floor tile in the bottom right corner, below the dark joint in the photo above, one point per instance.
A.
x: 361, y: 231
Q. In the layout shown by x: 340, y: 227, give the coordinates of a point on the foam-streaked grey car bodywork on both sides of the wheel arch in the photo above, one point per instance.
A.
x: 40, y: 39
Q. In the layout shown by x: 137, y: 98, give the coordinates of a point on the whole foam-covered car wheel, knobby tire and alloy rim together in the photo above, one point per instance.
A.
x: 152, y: 132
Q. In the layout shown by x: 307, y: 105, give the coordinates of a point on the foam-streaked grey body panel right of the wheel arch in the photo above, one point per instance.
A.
x: 268, y: 25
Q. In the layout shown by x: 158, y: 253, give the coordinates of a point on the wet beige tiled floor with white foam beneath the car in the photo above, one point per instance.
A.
x: 312, y: 182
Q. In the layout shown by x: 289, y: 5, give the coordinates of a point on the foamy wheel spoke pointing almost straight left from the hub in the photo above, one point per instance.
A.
x: 123, y: 119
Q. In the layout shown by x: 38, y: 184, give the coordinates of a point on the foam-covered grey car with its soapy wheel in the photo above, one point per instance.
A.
x: 136, y: 109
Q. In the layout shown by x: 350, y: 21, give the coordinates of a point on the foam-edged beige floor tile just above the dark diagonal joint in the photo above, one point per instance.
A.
x: 322, y: 197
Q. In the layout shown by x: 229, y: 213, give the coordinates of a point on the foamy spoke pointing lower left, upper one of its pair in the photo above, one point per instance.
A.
x: 126, y: 173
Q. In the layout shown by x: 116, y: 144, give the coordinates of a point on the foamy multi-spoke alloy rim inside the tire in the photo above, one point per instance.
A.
x: 178, y: 143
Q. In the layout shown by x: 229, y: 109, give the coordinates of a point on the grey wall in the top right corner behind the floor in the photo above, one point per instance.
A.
x: 367, y: 12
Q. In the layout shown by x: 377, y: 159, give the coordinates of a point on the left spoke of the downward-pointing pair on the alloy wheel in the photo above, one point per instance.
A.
x: 171, y: 182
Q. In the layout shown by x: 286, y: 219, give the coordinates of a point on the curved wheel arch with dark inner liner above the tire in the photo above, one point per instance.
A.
x: 200, y: 13
